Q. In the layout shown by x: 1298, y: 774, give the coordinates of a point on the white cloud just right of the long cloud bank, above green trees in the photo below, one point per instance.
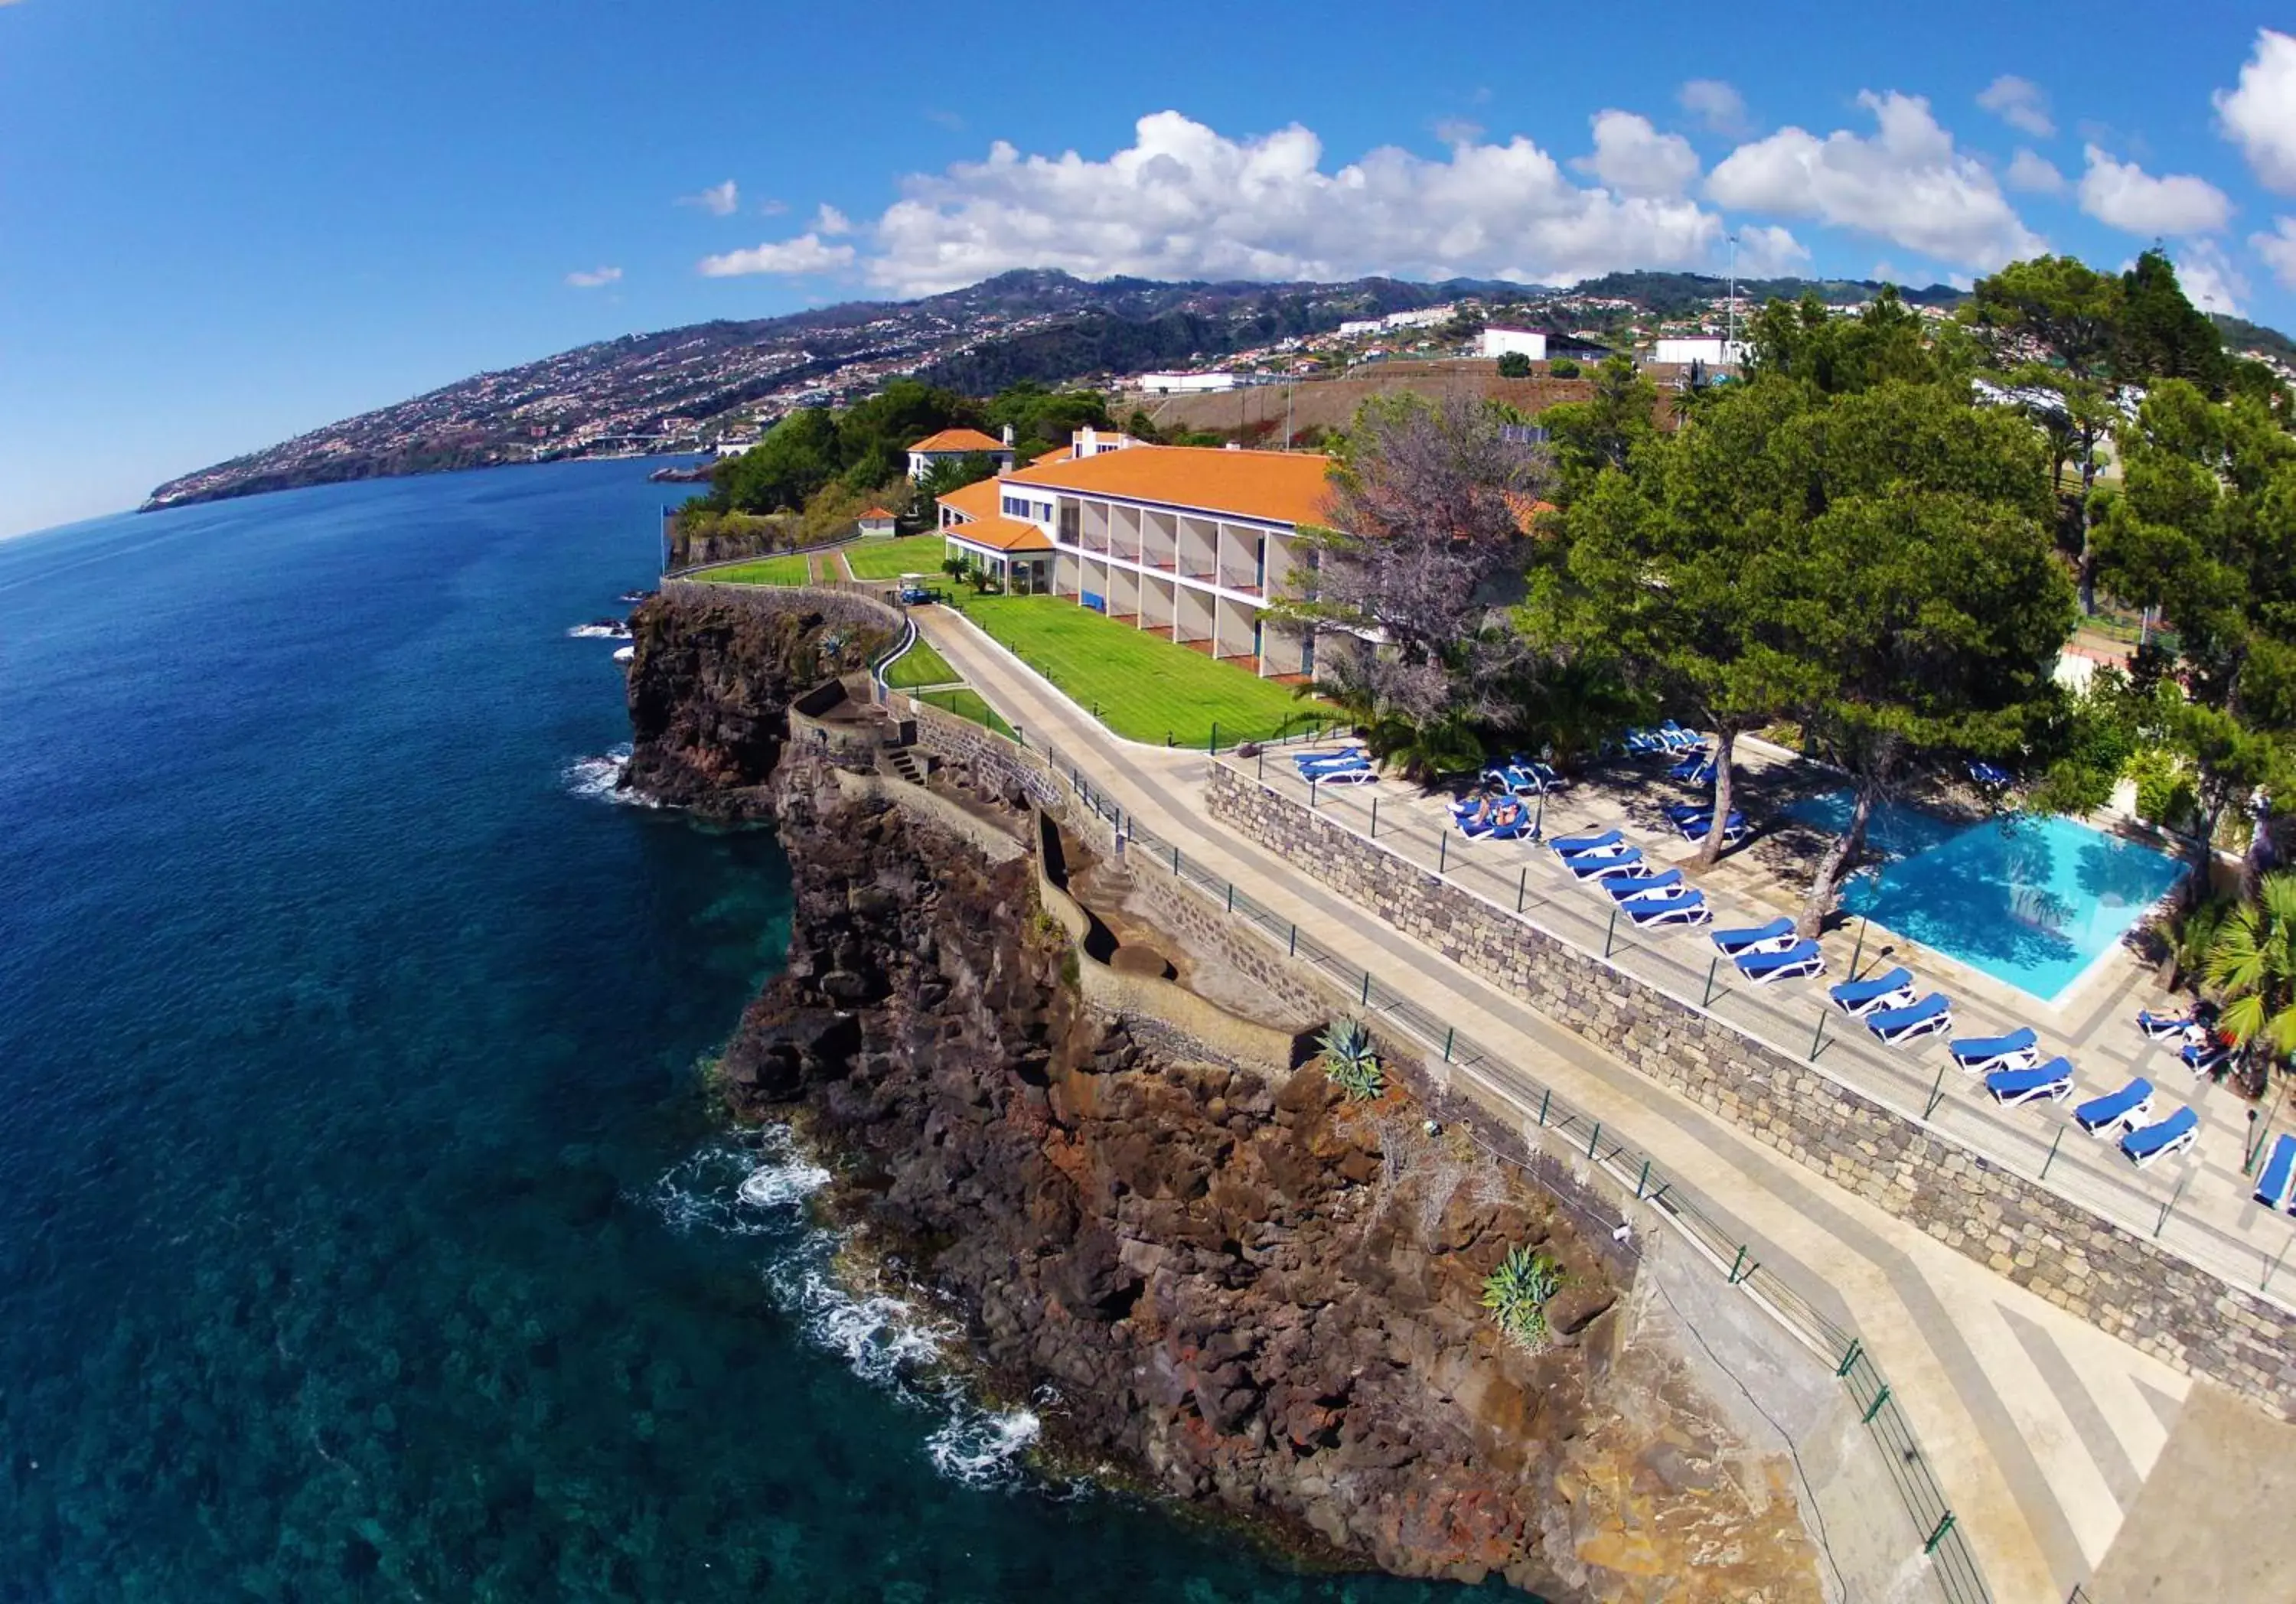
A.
x: 1905, y: 185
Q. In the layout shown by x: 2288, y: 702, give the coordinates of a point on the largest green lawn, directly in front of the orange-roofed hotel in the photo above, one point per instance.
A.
x: 1138, y: 685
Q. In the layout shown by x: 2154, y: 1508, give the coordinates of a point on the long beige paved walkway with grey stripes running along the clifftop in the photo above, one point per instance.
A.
x: 2040, y: 1428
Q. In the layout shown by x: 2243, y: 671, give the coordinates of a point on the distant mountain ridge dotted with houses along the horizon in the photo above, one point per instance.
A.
x: 676, y: 387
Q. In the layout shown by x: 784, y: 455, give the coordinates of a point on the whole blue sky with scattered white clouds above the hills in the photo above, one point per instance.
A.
x: 235, y: 221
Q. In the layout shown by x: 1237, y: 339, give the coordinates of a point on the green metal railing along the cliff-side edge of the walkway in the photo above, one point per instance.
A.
x: 1558, y: 1130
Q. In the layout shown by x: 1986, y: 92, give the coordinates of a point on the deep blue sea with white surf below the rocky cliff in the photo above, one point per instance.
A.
x: 362, y: 1229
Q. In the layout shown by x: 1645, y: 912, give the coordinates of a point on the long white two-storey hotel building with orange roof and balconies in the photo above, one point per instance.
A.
x: 1184, y: 540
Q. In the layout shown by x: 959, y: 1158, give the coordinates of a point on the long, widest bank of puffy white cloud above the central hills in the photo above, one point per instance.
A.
x: 1186, y: 201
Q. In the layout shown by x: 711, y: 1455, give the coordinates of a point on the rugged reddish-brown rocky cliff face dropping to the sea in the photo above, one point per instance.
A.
x: 1236, y: 1286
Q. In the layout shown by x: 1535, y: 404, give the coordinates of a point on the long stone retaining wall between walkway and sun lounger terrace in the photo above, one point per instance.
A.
x: 2091, y: 1268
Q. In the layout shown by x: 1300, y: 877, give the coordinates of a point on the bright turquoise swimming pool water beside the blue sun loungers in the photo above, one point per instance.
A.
x: 2026, y: 898
